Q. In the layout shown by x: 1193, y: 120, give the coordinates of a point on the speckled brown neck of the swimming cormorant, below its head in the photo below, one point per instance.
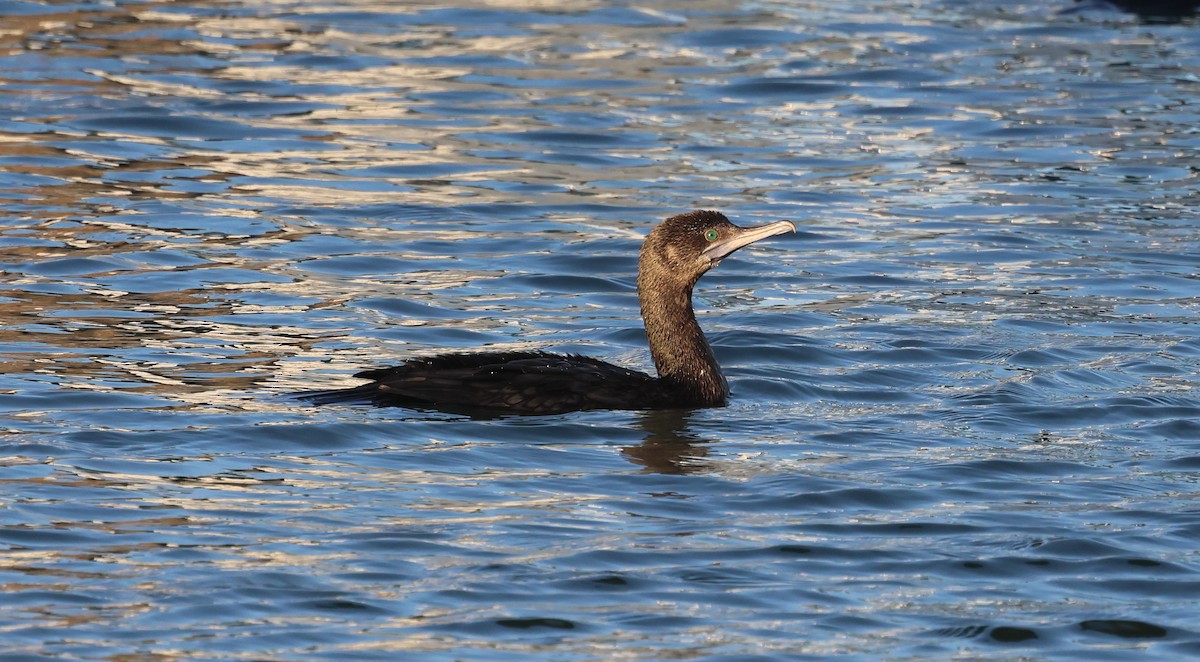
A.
x: 679, y: 347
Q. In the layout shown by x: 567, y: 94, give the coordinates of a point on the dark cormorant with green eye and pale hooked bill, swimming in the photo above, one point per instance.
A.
x: 674, y: 257
